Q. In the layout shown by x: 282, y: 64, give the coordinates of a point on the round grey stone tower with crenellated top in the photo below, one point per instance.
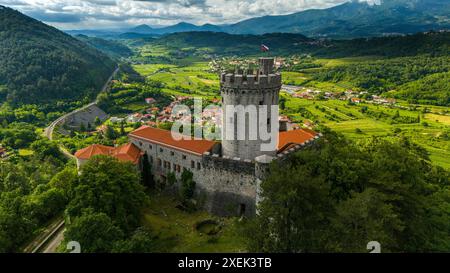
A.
x: 250, y: 90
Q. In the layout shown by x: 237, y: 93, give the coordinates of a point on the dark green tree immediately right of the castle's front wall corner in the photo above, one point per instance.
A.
x: 294, y: 216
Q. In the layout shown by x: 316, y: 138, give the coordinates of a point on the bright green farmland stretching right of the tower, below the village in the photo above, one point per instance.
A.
x: 429, y: 130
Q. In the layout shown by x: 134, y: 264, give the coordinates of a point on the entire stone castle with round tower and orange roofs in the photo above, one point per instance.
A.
x: 227, y: 174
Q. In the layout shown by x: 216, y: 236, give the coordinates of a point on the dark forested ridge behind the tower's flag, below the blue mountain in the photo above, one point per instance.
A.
x: 432, y: 43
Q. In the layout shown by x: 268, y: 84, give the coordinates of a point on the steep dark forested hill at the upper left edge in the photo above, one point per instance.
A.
x: 39, y: 63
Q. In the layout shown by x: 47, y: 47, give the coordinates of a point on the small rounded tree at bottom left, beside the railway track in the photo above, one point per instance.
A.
x: 95, y: 232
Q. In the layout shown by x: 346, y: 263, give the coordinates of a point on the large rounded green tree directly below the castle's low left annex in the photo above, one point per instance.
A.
x: 109, y: 186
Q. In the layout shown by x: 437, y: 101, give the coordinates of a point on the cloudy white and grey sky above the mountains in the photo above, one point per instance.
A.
x: 102, y: 14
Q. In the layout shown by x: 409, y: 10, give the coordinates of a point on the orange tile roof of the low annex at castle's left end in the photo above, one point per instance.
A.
x: 128, y: 152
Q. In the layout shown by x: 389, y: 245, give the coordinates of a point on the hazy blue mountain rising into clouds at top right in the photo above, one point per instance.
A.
x: 355, y: 19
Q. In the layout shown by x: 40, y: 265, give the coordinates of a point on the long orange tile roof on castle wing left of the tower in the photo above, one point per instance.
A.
x: 164, y: 137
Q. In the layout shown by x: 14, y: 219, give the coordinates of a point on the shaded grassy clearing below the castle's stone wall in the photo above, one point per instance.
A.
x: 175, y: 230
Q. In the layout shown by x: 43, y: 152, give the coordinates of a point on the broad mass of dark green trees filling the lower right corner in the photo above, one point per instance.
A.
x: 338, y: 195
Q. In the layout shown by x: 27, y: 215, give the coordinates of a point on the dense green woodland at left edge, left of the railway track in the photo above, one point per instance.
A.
x: 33, y: 191
